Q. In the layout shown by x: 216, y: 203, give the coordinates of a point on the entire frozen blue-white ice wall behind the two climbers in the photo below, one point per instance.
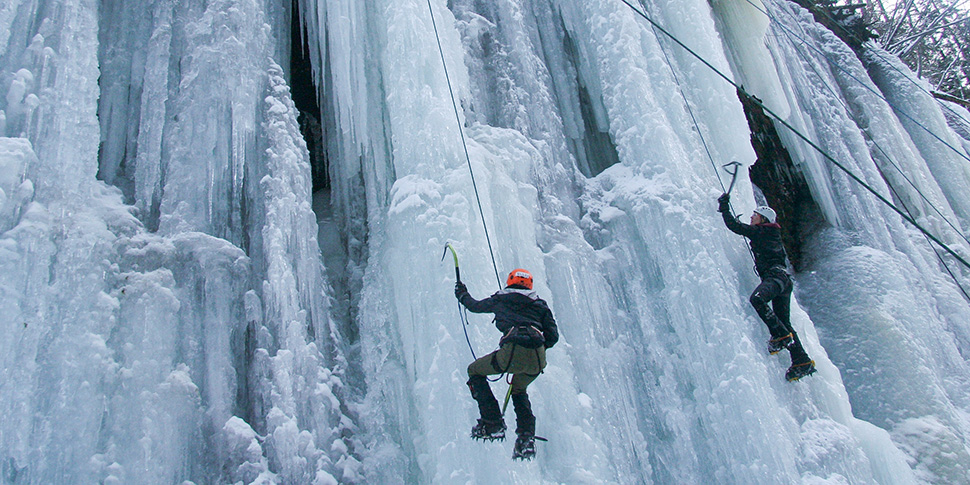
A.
x: 168, y: 317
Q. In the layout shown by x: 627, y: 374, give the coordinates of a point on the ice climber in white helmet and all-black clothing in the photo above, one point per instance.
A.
x: 770, y: 262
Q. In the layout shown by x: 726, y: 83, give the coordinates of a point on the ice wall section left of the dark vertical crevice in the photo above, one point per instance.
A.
x: 173, y: 324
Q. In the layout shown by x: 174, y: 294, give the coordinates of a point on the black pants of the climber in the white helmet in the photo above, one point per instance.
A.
x: 775, y: 289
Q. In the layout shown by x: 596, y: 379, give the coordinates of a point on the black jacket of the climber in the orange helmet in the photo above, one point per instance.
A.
x: 513, y: 307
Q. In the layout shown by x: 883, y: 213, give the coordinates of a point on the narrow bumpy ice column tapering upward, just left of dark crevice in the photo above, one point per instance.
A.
x: 298, y: 374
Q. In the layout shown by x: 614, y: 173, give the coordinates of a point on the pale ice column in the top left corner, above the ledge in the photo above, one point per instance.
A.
x: 52, y: 71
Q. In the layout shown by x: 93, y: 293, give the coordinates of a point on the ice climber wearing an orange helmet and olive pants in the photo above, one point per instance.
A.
x: 528, y: 329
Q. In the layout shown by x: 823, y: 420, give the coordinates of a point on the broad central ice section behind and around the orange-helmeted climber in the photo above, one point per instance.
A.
x: 632, y: 260
